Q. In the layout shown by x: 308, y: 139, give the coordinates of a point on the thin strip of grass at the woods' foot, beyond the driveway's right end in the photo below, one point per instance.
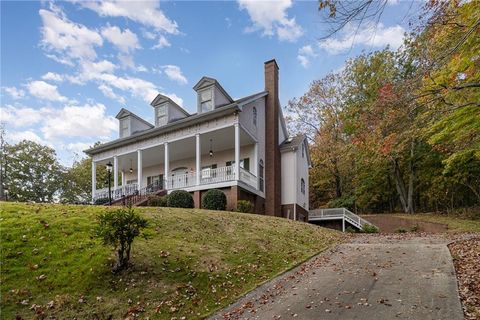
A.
x: 454, y: 223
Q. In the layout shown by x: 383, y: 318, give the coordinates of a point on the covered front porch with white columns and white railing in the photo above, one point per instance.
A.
x: 215, y: 159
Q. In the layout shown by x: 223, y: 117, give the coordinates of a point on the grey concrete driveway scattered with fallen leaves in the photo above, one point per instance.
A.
x: 371, y: 277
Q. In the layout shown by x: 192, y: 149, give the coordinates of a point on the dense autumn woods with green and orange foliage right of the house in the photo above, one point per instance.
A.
x: 399, y: 130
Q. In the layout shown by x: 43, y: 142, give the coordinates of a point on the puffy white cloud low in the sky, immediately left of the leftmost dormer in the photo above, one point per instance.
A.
x: 88, y: 120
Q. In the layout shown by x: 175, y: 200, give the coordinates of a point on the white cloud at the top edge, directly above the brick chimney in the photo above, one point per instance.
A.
x: 270, y: 17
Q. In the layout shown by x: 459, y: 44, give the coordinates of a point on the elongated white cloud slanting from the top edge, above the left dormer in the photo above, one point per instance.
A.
x: 147, y: 13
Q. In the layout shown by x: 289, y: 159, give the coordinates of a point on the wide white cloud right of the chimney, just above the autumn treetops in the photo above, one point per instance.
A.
x: 370, y: 35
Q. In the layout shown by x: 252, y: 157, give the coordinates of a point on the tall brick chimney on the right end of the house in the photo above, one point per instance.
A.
x: 273, y: 169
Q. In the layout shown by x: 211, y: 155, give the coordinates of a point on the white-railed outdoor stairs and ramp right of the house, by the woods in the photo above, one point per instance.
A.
x: 343, y: 214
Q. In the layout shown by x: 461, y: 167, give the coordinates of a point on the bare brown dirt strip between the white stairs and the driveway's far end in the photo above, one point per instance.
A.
x: 388, y: 223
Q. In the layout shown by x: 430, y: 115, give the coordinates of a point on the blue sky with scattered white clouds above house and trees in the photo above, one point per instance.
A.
x: 68, y: 67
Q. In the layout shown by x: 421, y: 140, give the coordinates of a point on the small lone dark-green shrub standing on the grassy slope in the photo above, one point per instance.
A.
x: 119, y: 228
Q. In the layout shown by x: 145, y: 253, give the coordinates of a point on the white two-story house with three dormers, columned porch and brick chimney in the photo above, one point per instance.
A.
x: 241, y: 147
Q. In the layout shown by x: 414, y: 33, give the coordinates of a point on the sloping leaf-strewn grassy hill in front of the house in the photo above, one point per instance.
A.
x: 194, y: 262
